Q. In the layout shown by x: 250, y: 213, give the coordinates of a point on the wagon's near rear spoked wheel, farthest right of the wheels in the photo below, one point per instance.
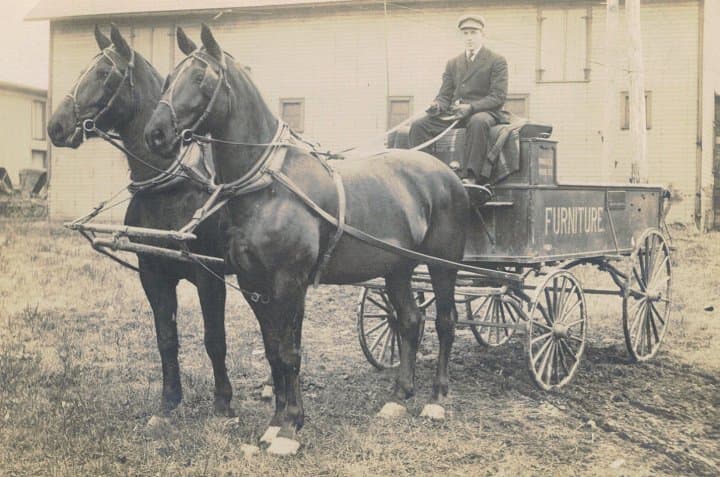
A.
x: 646, y: 301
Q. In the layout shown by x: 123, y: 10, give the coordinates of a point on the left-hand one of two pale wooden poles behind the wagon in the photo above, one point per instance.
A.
x: 611, y: 111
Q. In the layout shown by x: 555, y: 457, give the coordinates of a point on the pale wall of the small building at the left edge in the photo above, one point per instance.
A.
x: 16, y: 133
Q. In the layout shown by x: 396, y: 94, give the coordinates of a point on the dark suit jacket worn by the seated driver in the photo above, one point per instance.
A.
x: 482, y: 84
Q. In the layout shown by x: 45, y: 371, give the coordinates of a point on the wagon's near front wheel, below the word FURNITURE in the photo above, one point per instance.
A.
x: 557, y: 330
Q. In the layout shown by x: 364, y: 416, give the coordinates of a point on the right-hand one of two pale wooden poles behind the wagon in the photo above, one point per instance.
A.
x: 638, y: 125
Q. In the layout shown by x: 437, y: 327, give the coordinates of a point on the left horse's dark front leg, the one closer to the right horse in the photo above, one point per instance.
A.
x: 211, y: 292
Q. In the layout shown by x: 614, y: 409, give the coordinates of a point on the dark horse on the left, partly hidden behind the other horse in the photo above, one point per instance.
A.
x: 118, y: 91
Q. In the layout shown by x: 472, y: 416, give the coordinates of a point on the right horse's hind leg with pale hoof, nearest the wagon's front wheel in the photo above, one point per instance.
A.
x: 443, y: 282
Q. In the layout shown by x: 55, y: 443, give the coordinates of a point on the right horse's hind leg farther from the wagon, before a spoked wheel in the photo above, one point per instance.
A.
x: 401, y: 296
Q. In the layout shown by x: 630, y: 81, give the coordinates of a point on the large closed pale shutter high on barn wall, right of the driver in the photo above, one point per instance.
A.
x: 564, y: 44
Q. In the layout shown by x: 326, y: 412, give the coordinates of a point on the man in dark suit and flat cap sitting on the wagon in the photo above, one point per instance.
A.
x: 474, y: 88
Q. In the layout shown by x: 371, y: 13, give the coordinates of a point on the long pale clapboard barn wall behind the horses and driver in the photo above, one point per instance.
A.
x: 336, y: 60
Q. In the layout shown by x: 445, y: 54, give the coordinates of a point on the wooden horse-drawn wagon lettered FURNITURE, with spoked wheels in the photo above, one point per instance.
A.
x: 540, y: 229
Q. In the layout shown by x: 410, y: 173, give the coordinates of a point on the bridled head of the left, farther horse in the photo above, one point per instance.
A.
x: 102, y: 96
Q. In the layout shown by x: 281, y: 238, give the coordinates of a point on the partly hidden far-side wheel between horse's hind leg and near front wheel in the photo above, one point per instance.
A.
x: 492, y: 309
